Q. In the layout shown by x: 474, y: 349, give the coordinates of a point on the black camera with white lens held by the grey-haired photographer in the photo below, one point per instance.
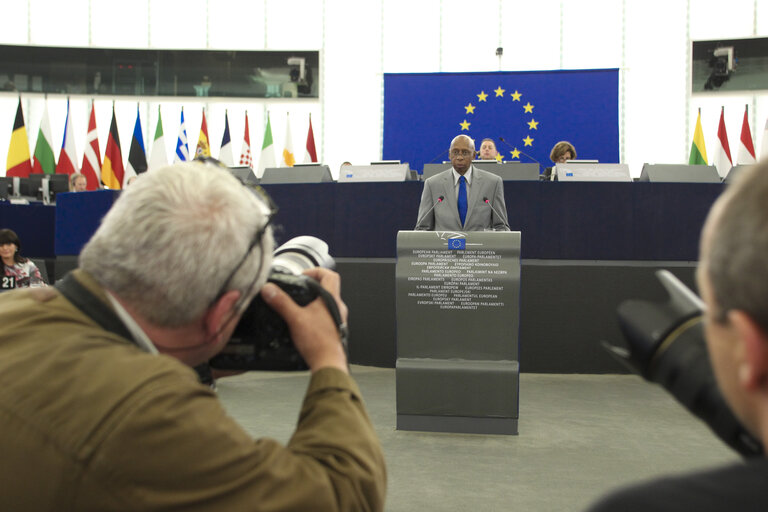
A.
x: 261, y: 340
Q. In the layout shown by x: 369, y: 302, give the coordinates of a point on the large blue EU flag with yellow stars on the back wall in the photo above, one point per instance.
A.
x: 530, y: 110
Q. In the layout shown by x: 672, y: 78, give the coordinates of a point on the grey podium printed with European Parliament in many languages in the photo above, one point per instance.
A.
x: 457, y: 307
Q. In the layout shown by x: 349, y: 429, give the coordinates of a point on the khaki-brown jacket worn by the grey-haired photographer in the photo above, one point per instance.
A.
x: 88, y: 421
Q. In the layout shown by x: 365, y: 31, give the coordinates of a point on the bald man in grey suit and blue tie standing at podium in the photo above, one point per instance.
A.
x: 463, y: 198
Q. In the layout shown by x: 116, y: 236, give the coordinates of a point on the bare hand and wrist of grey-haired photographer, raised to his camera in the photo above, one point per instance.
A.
x: 313, y: 330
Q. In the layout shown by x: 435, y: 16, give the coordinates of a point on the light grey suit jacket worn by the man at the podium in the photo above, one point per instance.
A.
x: 445, y: 215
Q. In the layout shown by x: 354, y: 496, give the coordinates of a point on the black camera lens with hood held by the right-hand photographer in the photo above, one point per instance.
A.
x: 665, y: 345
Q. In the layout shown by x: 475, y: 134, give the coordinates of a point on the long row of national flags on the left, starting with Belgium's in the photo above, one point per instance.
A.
x: 112, y: 172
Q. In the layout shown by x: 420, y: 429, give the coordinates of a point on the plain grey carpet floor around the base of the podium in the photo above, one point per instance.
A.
x: 579, y: 437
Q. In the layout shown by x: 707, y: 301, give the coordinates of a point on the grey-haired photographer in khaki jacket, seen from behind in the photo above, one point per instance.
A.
x: 98, y: 411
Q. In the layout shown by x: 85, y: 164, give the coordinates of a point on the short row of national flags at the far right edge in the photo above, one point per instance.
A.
x: 723, y: 159
